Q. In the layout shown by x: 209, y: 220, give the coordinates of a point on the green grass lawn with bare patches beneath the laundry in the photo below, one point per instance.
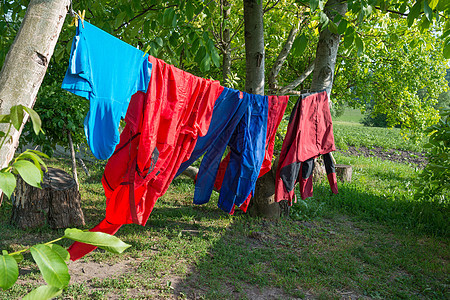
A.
x: 371, y: 240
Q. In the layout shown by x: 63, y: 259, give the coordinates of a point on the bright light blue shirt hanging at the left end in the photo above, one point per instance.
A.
x: 107, y: 72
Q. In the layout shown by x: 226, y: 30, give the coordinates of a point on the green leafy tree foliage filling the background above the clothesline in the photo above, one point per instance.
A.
x: 389, y: 50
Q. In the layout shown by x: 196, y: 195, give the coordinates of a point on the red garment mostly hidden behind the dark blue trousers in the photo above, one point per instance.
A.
x: 277, y: 106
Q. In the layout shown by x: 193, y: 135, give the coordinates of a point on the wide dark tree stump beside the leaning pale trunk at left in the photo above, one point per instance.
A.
x: 58, y: 202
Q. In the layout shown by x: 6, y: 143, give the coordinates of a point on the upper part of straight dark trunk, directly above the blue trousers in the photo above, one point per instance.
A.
x: 254, y: 46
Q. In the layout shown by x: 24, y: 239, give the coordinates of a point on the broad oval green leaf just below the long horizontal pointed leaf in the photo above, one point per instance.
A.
x: 52, y: 266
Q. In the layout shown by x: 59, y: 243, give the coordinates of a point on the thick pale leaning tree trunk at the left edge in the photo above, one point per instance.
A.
x: 27, y: 60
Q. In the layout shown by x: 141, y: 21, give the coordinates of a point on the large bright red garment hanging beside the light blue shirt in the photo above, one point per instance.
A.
x: 162, y: 127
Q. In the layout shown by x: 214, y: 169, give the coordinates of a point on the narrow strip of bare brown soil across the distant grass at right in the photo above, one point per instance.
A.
x: 401, y: 156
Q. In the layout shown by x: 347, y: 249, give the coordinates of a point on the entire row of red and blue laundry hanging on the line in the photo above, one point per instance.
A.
x: 166, y: 129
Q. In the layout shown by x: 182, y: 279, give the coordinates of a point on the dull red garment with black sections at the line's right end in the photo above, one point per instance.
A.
x: 309, y: 134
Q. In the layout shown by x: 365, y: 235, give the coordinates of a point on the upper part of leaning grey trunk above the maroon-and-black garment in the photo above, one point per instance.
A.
x: 327, y: 49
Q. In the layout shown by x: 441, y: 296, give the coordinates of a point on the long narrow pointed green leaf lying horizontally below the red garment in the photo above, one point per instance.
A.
x: 102, y: 240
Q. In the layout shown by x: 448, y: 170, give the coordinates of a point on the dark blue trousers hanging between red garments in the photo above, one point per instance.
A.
x: 239, y: 121
